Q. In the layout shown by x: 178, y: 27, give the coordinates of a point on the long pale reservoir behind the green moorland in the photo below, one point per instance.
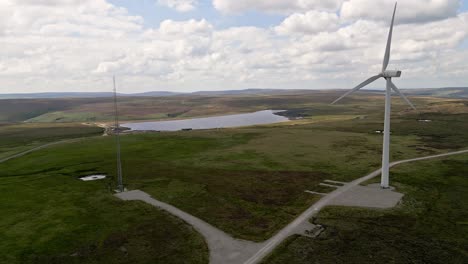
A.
x: 238, y: 120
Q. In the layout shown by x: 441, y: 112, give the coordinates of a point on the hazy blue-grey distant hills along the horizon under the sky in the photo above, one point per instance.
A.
x: 449, y: 92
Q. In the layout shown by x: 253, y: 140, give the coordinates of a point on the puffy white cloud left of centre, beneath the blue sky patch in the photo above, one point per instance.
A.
x: 163, y: 49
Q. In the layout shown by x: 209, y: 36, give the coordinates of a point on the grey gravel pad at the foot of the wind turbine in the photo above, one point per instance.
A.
x: 372, y: 196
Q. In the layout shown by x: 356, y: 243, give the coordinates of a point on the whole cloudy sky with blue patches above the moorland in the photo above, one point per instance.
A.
x: 193, y: 45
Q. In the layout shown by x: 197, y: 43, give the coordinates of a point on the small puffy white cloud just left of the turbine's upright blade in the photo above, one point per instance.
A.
x: 309, y: 23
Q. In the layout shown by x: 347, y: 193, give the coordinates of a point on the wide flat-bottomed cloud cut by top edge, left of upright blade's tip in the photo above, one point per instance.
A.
x: 275, y: 6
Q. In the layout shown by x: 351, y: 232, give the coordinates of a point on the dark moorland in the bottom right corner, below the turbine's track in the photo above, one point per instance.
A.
x: 430, y: 226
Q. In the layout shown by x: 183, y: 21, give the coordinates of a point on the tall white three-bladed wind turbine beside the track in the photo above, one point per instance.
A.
x: 387, y: 75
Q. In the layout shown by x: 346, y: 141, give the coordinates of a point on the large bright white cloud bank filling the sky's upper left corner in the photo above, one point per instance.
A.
x: 55, y: 42
